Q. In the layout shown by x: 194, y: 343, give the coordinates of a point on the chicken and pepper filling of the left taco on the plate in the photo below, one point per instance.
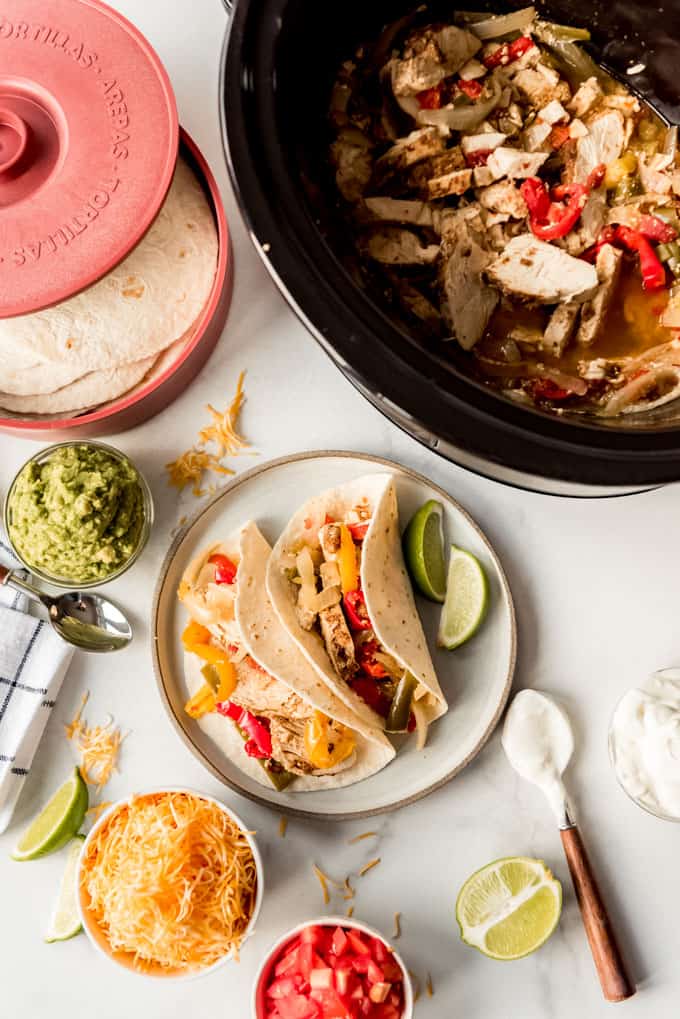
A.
x: 280, y: 730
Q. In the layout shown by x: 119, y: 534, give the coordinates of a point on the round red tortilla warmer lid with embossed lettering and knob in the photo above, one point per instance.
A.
x: 88, y: 147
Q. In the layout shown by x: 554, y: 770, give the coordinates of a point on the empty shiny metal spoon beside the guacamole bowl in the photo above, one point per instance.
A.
x: 88, y: 621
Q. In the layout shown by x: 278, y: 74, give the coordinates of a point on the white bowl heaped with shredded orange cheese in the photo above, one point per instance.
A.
x: 170, y: 884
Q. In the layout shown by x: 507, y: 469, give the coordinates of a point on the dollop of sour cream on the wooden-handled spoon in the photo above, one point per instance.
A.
x: 539, y: 741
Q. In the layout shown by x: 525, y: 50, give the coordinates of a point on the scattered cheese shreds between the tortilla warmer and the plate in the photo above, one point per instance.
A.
x: 192, y: 465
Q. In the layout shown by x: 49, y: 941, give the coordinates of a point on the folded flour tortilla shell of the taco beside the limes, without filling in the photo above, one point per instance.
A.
x: 386, y: 584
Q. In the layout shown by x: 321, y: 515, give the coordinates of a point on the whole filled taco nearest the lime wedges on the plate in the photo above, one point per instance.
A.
x: 338, y: 581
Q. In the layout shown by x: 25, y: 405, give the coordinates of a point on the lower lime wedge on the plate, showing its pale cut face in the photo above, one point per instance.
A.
x: 467, y: 595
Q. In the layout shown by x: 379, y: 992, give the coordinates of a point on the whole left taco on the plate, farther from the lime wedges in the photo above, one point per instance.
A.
x: 253, y: 691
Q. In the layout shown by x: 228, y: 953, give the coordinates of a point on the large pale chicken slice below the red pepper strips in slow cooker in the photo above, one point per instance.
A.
x: 542, y: 274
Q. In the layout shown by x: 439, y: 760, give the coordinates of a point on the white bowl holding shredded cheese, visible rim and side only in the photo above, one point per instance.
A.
x: 97, y: 937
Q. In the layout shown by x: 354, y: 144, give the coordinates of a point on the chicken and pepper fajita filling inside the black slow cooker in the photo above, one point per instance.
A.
x: 513, y: 198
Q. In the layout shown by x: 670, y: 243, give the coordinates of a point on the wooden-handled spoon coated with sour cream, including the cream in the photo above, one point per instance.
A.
x: 539, y: 741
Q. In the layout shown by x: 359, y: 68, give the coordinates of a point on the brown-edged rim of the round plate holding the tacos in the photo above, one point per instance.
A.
x: 226, y: 492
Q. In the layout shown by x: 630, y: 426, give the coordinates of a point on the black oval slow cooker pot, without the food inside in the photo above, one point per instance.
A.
x: 279, y: 64
